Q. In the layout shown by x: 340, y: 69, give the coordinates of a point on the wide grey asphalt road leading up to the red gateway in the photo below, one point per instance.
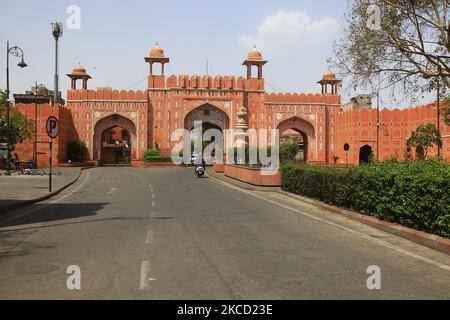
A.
x: 162, y: 233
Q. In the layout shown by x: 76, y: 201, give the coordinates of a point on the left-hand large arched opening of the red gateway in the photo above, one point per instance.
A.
x: 114, y: 140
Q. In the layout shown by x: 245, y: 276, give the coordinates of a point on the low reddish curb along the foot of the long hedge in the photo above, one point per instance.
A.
x: 426, y: 239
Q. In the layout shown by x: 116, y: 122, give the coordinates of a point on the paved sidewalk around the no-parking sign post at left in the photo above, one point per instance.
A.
x: 19, y: 190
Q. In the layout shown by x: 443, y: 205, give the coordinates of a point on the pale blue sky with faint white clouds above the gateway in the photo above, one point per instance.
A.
x: 114, y: 36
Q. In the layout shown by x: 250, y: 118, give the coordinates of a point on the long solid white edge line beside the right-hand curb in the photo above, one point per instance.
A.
x: 362, y: 235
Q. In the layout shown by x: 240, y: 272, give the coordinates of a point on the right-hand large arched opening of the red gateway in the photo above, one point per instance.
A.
x: 297, y: 130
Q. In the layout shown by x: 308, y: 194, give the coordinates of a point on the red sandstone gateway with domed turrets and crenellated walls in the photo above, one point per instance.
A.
x: 120, y: 124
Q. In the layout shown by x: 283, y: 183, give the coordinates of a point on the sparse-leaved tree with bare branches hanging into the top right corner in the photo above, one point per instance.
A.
x: 403, y: 45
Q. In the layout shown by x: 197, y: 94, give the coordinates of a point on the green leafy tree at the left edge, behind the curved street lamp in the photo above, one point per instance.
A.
x: 20, y: 126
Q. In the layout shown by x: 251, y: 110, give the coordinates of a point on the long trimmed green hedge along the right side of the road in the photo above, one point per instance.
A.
x: 416, y: 195
